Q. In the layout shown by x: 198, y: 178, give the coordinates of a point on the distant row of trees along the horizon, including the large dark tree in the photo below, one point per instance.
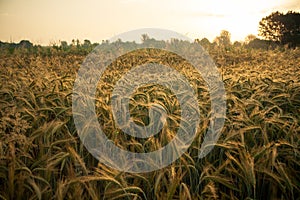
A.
x: 277, y: 29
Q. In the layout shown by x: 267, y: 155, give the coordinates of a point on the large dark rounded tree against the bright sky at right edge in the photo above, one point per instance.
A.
x: 282, y: 28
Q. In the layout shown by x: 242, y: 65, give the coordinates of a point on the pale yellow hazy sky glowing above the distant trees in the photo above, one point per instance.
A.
x: 45, y: 22
